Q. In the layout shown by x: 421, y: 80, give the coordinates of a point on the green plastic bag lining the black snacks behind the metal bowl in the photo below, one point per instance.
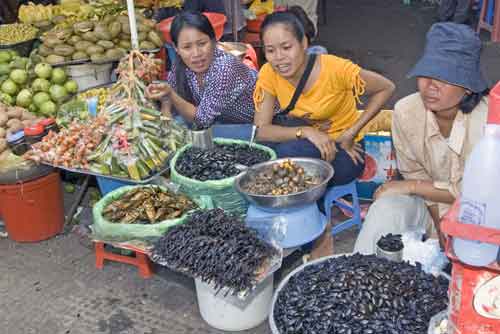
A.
x: 220, y: 193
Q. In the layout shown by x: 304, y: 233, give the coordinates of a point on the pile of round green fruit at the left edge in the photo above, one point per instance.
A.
x: 39, y: 88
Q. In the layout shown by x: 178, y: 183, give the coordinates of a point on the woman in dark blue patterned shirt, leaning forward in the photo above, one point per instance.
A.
x: 206, y: 85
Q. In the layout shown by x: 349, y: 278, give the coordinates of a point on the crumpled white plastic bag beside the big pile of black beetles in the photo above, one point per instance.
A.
x: 428, y: 253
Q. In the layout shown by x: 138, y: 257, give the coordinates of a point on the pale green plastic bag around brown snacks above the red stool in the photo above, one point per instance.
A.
x: 104, y: 230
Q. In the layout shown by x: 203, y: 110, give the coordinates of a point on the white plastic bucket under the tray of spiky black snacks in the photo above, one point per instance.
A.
x: 228, y: 313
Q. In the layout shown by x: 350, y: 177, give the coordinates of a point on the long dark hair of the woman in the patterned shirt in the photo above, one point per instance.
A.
x: 199, y: 22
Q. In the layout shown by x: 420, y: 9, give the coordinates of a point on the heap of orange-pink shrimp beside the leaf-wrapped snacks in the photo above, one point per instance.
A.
x: 71, y: 147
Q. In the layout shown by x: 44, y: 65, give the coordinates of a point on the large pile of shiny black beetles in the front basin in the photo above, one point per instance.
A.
x: 360, y: 294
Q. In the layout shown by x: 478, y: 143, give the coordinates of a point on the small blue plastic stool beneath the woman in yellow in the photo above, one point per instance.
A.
x: 333, y: 197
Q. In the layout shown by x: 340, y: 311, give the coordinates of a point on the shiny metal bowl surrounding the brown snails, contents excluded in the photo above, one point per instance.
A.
x: 313, y: 167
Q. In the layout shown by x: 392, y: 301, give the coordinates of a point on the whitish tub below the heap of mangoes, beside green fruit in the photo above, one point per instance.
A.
x: 90, y: 75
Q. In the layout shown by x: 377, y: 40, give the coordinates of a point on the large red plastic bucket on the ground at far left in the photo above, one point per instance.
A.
x: 33, y: 211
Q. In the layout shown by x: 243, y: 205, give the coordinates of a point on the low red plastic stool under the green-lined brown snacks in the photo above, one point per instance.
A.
x: 140, y: 260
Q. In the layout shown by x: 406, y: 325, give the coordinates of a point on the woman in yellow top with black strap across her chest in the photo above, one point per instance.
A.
x: 327, y: 106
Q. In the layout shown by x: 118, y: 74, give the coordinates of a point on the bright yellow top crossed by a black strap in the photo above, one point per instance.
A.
x: 334, y: 95
